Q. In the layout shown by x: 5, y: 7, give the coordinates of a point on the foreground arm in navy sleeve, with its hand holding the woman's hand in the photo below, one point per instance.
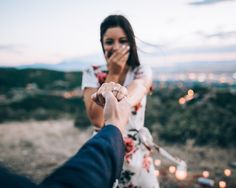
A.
x: 97, y: 164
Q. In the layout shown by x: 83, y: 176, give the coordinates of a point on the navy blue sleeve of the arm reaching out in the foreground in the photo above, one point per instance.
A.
x: 97, y: 164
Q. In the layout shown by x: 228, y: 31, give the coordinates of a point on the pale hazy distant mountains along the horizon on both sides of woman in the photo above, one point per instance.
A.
x: 79, y: 64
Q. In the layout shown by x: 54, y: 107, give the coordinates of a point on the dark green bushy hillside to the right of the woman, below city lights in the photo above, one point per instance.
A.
x: 206, y: 118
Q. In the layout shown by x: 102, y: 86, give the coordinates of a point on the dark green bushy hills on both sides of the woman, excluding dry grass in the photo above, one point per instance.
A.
x: 208, y: 118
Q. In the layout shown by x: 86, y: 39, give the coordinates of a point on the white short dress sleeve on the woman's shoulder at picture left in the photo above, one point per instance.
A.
x: 89, y: 79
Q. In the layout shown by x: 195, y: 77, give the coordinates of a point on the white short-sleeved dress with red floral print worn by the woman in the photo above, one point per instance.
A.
x: 138, y: 168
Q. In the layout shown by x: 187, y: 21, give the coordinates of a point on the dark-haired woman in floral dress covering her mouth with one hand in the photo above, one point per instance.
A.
x: 123, y: 67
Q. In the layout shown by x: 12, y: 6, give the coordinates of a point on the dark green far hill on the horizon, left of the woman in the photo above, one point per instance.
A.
x: 42, y: 78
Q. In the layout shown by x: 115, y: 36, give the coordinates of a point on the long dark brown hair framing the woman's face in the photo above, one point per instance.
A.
x: 120, y: 21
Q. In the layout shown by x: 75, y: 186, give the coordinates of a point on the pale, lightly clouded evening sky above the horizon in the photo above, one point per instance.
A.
x: 167, y: 31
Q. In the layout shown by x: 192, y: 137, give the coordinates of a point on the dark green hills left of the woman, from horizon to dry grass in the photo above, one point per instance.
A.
x: 40, y: 94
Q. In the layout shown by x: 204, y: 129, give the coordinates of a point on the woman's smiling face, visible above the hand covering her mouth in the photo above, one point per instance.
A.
x: 113, y: 39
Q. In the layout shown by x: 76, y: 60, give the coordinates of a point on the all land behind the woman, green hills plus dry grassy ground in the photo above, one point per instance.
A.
x: 192, y: 115
